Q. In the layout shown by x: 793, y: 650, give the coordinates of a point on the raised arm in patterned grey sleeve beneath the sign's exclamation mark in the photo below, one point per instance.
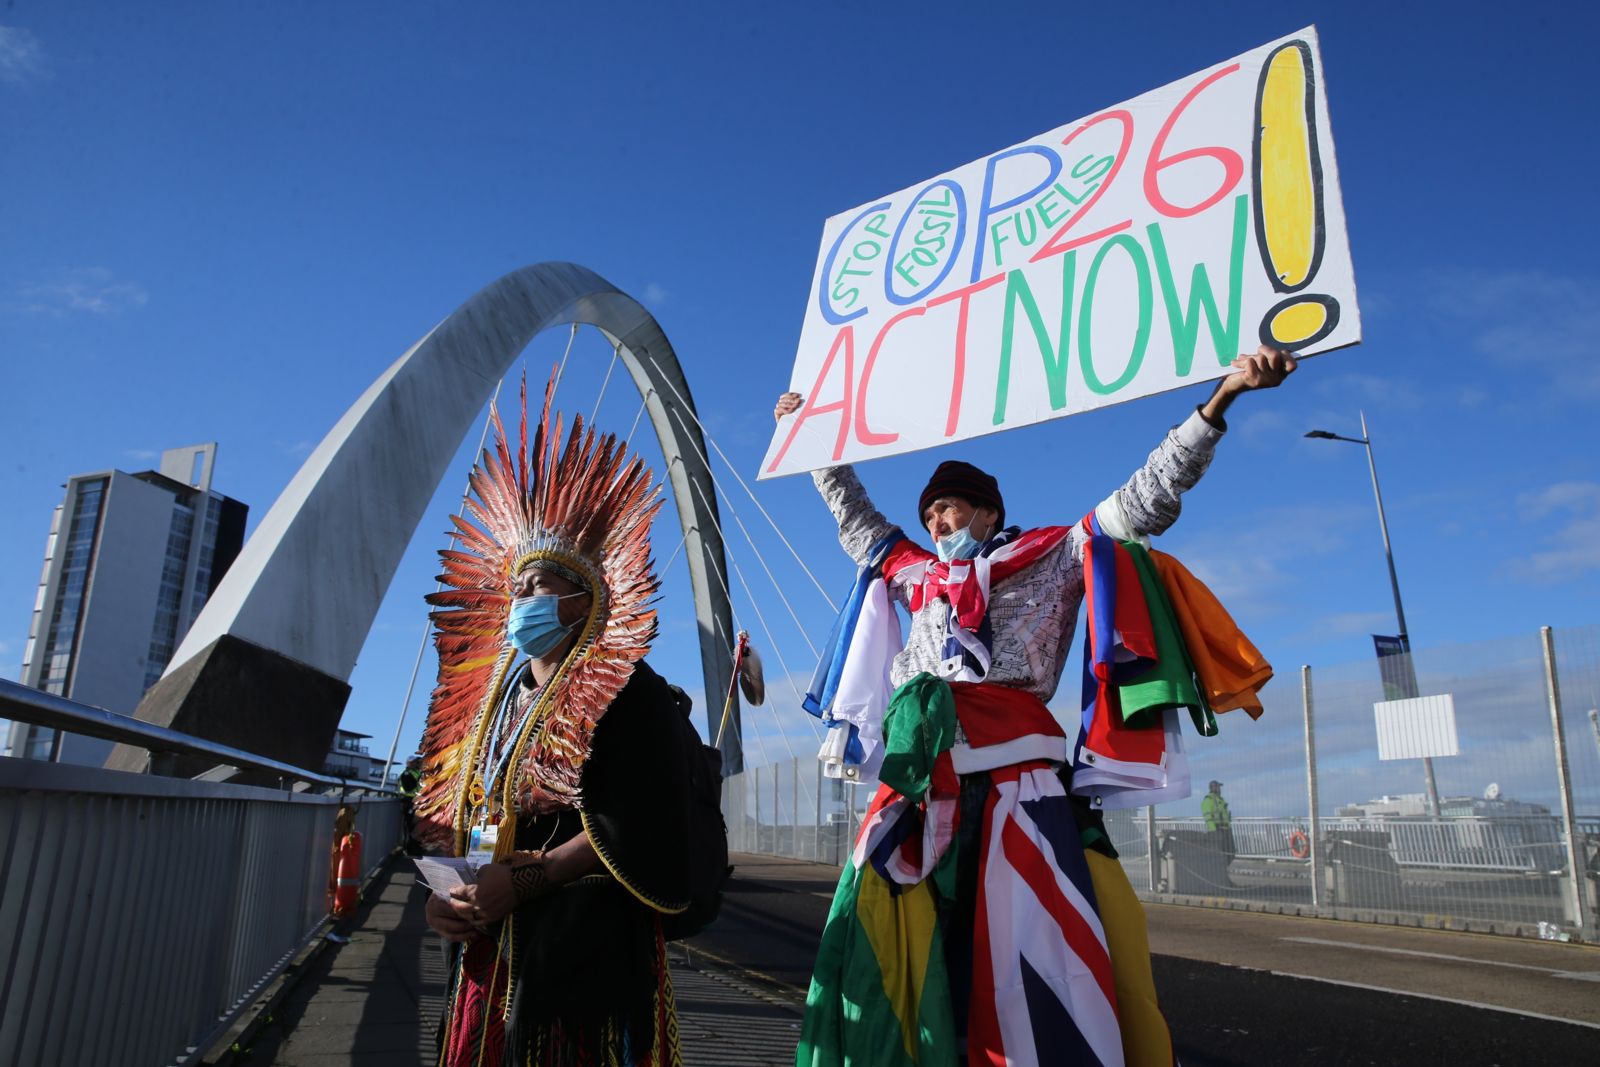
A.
x: 1151, y: 500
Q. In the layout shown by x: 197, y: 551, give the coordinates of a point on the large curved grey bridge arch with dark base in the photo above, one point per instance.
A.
x: 266, y: 666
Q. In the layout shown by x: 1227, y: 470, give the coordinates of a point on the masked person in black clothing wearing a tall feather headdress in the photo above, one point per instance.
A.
x: 551, y: 751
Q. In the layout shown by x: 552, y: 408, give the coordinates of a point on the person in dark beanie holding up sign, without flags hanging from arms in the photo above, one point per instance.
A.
x: 1018, y: 922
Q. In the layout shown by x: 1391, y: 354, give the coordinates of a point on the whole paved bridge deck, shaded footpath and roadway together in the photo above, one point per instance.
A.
x: 1236, y: 988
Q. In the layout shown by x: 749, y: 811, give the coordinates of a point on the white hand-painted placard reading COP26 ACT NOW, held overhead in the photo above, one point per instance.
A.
x: 1124, y: 255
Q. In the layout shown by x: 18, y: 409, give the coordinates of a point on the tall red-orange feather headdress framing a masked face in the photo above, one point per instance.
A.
x: 583, y: 510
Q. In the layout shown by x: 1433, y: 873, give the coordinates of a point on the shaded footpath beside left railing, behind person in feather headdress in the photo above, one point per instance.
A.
x: 375, y: 1001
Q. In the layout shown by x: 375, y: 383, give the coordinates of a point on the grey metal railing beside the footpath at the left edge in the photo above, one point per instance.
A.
x: 142, y: 914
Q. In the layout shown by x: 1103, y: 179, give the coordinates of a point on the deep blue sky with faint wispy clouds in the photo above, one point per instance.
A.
x: 223, y: 222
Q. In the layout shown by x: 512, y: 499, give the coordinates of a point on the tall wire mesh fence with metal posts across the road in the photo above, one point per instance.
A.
x: 1503, y: 834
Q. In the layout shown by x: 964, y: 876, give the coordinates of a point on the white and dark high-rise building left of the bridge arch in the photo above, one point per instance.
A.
x: 130, y: 562
